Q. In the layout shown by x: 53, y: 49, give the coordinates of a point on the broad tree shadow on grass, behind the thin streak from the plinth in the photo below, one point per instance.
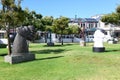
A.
x: 48, y: 51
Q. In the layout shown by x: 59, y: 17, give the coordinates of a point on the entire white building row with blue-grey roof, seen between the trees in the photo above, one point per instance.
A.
x: 90, y: 25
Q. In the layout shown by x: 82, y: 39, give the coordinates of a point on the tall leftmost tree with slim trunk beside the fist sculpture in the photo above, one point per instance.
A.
x: 10, y: 14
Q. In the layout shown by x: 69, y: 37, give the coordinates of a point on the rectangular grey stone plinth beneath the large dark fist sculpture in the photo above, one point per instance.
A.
x: 12, y: 59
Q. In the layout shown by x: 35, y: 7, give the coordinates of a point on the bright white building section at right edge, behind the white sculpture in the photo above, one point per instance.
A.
x: 112, y: 31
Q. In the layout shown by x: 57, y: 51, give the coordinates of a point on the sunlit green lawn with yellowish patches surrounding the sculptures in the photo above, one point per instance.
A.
x: 67, y: 62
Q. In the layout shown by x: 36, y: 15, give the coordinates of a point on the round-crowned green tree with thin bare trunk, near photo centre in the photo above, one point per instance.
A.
x: 60, y: 24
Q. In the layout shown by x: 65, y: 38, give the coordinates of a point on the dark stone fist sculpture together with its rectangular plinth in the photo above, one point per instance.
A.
x: 20, y: 51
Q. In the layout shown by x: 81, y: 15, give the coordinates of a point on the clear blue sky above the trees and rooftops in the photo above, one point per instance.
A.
x: 70, y: 8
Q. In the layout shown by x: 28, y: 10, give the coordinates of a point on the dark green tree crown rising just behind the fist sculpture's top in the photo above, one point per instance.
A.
x: 32, y: 18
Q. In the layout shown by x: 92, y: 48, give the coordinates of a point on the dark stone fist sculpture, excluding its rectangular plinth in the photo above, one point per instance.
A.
x: 20, y: 45
